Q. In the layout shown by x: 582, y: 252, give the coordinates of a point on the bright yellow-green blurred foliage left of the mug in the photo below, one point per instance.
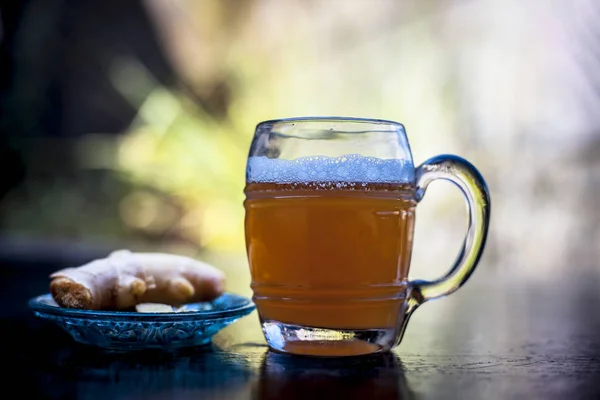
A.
x: 177, y: 147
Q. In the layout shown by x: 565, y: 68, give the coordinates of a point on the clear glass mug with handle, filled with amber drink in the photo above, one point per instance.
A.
x: 330, y: 212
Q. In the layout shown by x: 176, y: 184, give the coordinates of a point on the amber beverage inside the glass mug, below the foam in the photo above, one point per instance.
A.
x: 330, y: 255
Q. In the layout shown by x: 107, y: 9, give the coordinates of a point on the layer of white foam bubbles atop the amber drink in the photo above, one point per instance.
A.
x: 349, y: 168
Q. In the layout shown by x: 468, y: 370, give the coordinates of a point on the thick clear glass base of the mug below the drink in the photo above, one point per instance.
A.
x: 311, y: 341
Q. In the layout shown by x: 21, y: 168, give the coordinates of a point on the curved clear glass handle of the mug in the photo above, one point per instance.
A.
x: 473, y: 187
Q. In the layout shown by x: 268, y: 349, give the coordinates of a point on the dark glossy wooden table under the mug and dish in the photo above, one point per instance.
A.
x: 500, y: 337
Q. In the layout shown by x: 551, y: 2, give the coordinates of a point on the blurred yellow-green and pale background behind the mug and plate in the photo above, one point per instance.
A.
x: 127, y: 124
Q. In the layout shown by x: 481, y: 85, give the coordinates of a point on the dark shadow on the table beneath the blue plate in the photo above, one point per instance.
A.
x: 52, y: 366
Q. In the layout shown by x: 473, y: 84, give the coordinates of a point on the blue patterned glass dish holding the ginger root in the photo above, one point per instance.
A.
x: 126, y: 331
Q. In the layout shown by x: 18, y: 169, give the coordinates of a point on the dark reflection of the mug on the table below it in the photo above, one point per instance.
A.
x: 379, y: 376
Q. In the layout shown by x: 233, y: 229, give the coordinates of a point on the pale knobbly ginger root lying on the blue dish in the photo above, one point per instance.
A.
x: 125, y: 279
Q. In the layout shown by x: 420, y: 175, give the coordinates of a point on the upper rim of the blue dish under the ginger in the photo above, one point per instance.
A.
x: 247, y: 305
